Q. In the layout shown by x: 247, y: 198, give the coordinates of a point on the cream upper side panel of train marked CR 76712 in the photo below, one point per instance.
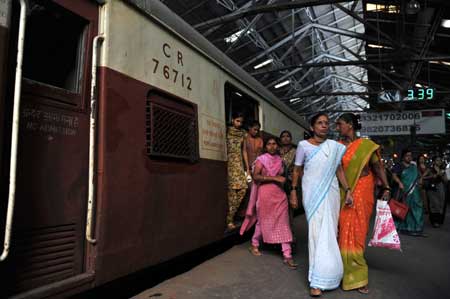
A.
x: 147, y: 52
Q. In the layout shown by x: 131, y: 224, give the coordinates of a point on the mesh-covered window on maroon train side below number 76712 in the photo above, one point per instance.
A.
x: 171, y: 128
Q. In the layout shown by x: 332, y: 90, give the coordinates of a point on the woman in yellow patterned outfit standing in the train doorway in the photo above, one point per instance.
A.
x: 237, y: 153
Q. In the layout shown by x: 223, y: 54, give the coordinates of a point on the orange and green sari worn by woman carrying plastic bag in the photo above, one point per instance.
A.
x: 354, y: 221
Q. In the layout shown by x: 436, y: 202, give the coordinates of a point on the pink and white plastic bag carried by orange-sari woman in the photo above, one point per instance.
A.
x: 384, y: 233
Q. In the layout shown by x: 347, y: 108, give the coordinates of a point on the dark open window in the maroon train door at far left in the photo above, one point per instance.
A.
x: 54, y: 42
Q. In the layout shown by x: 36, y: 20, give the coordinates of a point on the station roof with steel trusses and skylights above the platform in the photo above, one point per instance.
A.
x: 332, y: 55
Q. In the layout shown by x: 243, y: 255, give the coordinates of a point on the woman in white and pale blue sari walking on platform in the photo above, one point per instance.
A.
x: 317, y: 163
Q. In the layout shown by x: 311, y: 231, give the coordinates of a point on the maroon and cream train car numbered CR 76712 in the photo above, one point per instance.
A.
x: 120, y: 157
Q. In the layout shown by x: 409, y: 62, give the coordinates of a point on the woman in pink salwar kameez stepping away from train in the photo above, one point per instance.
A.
x: 268, y: 205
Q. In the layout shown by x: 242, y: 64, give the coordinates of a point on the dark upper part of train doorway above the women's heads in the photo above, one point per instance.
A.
x: 238, y: 101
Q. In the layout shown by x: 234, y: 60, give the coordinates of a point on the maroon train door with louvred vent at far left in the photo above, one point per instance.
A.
x: 48, y: 243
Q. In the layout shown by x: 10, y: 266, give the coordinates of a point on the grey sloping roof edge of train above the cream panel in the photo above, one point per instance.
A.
x: 163, y: 15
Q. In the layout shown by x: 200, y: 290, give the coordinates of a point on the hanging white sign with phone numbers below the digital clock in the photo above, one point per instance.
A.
x: 399, y: 123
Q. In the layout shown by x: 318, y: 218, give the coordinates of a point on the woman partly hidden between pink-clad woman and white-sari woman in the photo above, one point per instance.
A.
x: 287, y: 153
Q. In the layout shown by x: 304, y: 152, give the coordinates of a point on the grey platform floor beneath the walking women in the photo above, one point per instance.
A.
x: 422, y: 270
